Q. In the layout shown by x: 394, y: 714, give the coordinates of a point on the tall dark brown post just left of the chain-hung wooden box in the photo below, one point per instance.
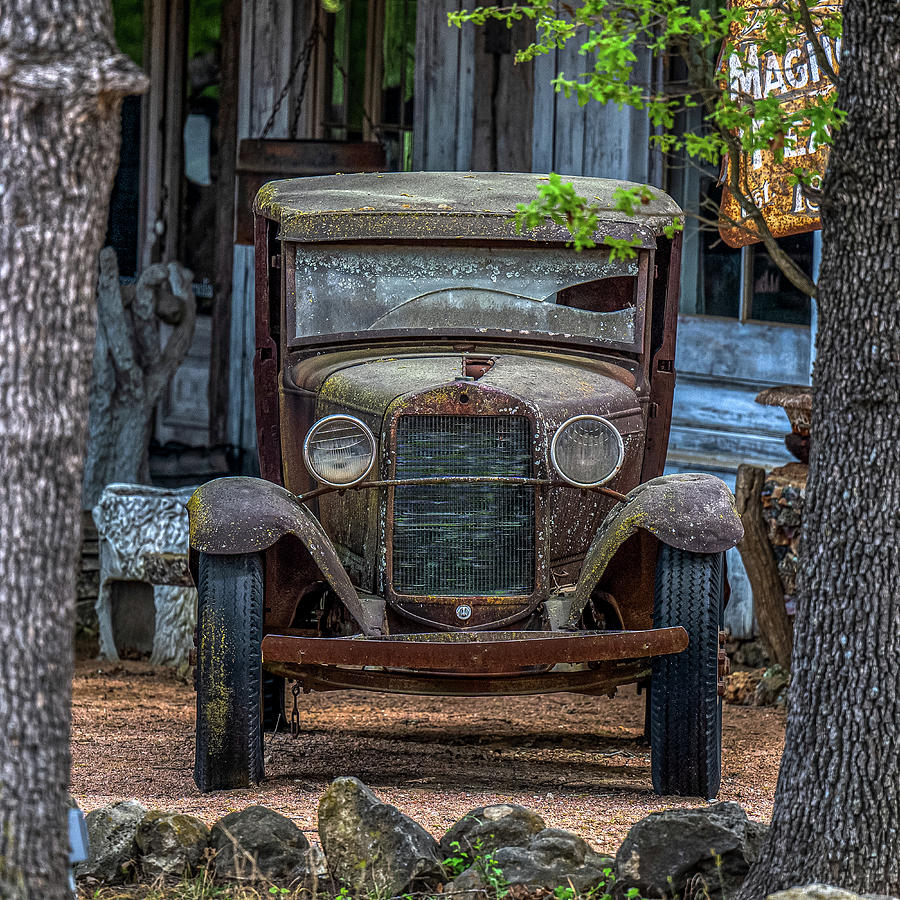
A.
x: 224, y: 261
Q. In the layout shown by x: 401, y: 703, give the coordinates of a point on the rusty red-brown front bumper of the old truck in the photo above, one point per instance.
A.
x: 466, y: 653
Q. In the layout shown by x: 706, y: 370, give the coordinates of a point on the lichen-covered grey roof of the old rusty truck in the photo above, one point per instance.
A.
x: 441, y: 205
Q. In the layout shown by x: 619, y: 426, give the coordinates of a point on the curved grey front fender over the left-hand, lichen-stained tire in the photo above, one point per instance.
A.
x: 248, y: 515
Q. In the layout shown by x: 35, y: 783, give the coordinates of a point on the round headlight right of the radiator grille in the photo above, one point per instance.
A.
x: 587, y: 451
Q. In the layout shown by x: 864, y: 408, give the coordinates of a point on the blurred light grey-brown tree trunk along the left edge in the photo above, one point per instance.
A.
x: 61, y: 82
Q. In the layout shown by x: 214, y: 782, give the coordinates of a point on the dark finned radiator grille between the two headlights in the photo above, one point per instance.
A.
x: 463, y: 540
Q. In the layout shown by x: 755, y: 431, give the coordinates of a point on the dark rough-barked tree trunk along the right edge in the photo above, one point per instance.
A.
x: 837, y: 805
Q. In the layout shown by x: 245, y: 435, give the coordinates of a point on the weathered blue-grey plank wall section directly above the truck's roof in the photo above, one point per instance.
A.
x: 454, y: 83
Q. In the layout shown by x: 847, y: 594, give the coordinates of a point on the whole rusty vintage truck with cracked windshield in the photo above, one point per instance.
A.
x: 461, y: 434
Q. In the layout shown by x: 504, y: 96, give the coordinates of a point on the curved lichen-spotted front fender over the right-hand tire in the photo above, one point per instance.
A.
x: 689, y: 511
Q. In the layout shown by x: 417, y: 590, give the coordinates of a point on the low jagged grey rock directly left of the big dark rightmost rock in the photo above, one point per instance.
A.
x: 553, y: 857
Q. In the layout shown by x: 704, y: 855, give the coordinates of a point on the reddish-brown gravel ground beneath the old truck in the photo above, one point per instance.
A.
x: 579, y: 761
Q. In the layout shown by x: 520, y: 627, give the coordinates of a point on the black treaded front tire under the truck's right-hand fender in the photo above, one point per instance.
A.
x: 685, y: 706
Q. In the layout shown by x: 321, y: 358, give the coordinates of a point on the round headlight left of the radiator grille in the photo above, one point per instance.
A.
x: 339, y: 450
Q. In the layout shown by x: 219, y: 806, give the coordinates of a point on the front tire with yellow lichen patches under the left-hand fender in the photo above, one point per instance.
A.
x: 229, y: 746
